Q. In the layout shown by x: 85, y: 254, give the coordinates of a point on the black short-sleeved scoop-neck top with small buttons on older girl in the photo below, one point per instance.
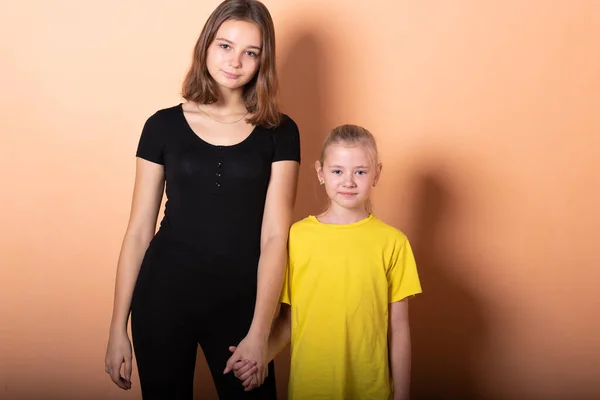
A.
x: 215, y: 194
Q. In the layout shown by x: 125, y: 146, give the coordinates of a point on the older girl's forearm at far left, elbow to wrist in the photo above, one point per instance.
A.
x: 130, y: 259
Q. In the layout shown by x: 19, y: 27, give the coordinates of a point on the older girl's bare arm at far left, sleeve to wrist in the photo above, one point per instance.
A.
x: 147, y: 197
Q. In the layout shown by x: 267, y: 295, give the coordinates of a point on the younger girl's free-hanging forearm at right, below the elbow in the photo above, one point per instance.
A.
x: 400, y: 361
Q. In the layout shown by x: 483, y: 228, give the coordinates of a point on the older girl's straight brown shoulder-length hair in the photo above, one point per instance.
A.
x: 261, y: 92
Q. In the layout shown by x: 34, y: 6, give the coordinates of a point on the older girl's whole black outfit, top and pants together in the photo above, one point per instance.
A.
x: 197, y: 282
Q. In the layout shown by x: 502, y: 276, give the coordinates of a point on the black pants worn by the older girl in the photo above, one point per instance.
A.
x: 175, y: 307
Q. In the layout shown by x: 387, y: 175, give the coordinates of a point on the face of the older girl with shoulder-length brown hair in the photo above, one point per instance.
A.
x: 233, y: 58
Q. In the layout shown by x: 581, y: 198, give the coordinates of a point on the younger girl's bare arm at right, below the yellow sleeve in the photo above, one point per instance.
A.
x: 400, y: 349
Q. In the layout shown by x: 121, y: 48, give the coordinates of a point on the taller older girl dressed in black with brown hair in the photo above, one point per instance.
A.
x: 212, y: 274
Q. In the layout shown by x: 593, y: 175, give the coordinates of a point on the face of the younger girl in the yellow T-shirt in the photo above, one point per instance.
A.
x: 349, y: 174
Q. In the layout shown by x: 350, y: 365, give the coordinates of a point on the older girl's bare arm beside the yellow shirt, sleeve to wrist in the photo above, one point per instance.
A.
x: 277, y: 219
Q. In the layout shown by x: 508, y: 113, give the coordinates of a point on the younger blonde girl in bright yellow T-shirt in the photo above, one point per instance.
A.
x: 345, y: 295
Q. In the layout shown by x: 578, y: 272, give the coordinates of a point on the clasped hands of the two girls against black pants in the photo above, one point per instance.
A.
x: 249, y: 362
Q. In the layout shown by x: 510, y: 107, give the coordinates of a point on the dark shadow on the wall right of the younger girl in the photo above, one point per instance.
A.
x: 447, y: 323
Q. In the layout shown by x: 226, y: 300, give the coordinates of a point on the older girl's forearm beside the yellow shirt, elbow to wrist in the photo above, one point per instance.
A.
x: 271, y: 271
